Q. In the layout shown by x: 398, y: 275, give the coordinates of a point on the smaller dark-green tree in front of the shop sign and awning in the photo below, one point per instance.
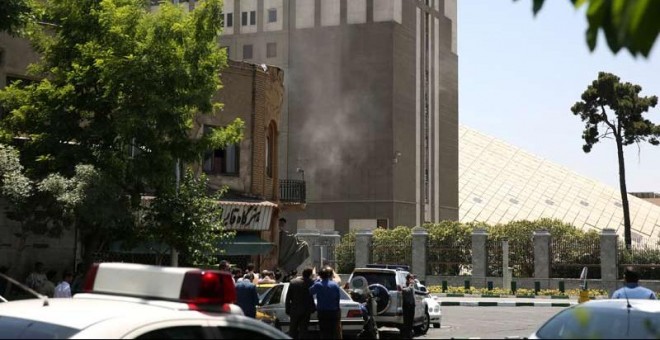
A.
x: 186, y: 218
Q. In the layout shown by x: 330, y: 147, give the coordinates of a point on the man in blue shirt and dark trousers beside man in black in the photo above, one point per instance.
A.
x: 327, y: 295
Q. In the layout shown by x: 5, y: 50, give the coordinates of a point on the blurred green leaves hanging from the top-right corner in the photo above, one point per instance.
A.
x: 631, y: 25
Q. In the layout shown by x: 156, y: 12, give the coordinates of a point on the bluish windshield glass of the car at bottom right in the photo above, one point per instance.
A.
x: 601, y: 323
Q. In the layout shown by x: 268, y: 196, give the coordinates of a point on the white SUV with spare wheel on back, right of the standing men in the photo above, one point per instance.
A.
x: 387, y: 281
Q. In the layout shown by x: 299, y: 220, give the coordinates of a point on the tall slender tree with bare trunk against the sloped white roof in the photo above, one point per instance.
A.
x: 626, y: 126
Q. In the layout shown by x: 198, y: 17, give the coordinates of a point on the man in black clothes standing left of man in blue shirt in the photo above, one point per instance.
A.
x: 299, y: 304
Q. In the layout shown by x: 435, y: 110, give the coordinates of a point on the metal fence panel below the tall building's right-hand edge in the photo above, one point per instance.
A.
x: 448, y: 257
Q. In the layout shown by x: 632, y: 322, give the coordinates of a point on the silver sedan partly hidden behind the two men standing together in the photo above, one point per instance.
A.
x: 272, y: 304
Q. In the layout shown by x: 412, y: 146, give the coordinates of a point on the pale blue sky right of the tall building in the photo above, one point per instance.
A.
x: 519, y: 75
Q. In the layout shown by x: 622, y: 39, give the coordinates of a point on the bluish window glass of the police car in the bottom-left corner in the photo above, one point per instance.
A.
x: 18, y: 328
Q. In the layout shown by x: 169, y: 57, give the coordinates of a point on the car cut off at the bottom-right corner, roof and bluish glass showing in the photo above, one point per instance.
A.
x: 604, y: 319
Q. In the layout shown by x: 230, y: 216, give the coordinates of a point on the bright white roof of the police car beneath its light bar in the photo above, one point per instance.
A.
x: 83, y: 312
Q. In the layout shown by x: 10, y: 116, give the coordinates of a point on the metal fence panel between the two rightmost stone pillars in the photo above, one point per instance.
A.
x: 569, y: 256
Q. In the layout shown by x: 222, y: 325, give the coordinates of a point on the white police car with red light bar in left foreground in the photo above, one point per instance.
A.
x: 133, y: 301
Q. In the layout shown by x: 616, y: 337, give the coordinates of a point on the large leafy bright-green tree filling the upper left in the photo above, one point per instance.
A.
x: 121, y: 88
